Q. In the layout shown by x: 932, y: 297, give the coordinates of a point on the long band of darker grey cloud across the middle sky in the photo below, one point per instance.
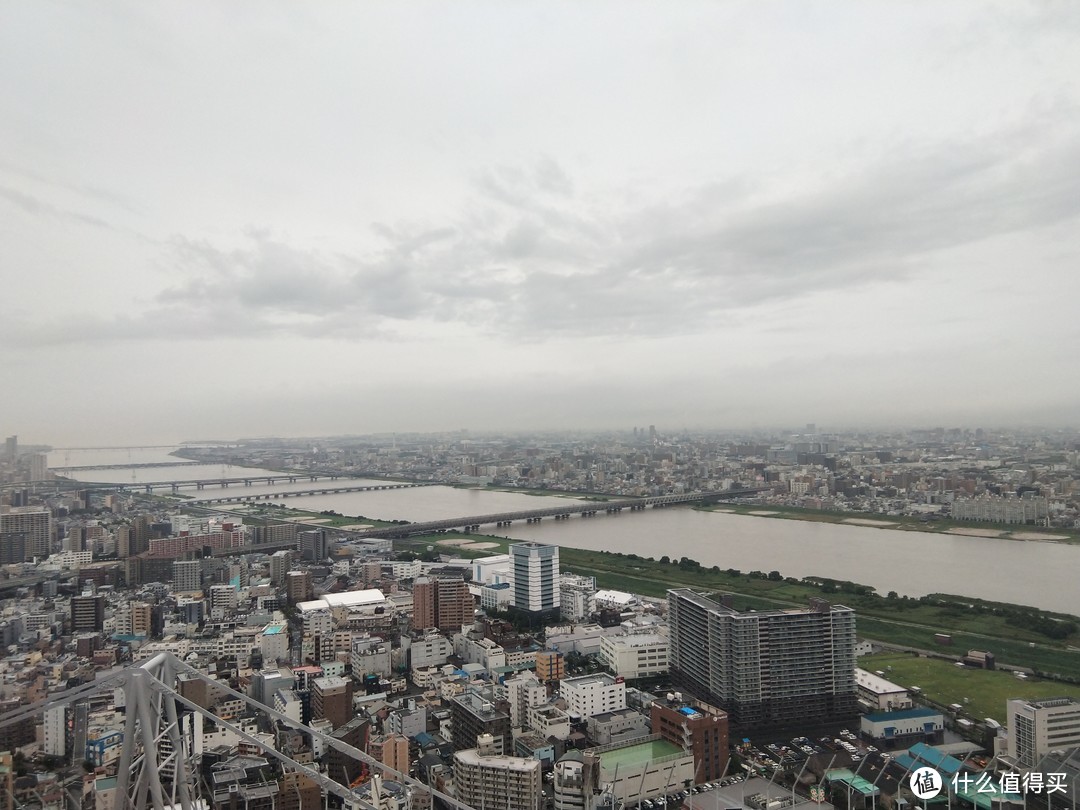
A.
x: 530, y: 263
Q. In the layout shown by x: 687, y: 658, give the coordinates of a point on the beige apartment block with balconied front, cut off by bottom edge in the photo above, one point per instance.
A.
x: 483, y: 778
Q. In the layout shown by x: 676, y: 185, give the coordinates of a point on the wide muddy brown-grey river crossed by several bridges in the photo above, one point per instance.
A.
x: 1045, y: 575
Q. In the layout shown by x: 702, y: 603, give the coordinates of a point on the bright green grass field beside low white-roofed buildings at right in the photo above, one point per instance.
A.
x: 982, y: 693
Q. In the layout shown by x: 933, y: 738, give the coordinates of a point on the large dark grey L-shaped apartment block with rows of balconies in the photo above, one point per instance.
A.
x: 778, y: 669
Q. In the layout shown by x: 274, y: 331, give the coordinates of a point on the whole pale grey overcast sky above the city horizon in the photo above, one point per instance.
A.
x: 235, y: 220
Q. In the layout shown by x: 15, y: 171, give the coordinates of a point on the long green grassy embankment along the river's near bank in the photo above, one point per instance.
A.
x: 1004, y: 630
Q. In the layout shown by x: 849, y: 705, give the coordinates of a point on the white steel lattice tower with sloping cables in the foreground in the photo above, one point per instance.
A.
x: 158, y: 765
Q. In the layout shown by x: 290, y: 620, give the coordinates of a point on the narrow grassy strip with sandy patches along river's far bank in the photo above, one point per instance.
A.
x: 902, y: 523
